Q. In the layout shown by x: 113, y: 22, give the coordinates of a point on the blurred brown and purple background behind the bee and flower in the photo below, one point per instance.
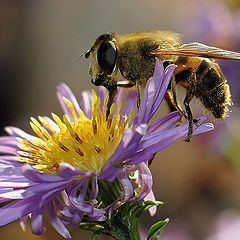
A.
x: 40, y: 45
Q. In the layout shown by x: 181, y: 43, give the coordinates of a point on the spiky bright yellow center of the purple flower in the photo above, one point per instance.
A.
x: 85, y: 143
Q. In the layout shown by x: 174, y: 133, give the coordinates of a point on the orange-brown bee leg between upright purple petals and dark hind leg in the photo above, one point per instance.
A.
x: 173, y: 97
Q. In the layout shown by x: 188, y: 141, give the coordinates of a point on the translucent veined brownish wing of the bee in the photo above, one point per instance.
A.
x: 198, y: 50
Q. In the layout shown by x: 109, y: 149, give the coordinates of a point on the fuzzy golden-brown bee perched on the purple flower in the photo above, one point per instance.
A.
x: 134, y: 55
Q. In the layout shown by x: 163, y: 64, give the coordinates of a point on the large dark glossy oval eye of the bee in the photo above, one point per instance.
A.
x: 106, y: 56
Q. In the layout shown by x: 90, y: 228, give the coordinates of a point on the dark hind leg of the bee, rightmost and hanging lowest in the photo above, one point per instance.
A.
x: 189, y: 96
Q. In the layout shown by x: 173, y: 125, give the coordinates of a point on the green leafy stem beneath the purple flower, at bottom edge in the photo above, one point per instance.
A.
x: 123, y: 224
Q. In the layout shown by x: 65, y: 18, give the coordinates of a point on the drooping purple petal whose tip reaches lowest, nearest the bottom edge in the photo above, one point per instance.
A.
x: 56, y: 221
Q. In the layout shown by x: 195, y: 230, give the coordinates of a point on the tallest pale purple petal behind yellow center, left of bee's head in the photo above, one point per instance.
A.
x: 64, y: 91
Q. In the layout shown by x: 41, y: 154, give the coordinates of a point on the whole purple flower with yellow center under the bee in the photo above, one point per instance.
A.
x: 68, y: 167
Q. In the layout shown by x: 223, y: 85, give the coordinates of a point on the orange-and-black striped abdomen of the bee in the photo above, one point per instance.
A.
x: 211, y: 87
